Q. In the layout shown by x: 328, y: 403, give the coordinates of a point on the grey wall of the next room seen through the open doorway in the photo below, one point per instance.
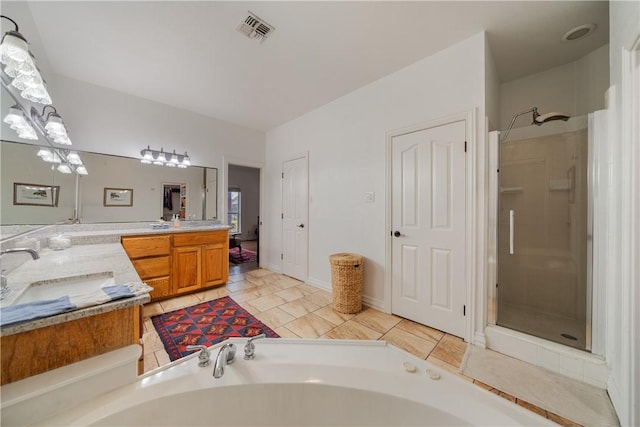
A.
x: 248, y: 181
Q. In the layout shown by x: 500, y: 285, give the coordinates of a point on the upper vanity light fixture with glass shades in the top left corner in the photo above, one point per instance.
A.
x: 20, y: 66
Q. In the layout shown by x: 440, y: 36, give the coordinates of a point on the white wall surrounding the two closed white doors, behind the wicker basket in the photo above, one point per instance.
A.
x: 346, y: 143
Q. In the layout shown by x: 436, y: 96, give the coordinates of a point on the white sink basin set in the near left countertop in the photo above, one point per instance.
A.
x: 72, y: 285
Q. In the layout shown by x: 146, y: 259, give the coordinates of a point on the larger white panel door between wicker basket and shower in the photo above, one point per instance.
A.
x: 428, y: 218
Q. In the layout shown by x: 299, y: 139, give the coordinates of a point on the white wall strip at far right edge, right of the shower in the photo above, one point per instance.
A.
x: 623, y: 307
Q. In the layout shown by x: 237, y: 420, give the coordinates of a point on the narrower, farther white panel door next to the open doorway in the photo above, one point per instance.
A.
x: 294, y: 218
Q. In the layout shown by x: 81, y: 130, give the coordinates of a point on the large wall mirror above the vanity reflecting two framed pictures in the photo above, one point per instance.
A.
x: 117, y: 189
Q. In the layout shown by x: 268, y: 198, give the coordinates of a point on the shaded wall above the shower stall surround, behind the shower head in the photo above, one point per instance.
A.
x: 576, y: 88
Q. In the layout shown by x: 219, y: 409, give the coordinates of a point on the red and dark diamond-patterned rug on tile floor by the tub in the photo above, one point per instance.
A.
x: 207, y: 323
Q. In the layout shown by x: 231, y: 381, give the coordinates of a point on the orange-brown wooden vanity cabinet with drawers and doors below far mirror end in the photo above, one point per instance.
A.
x: 175, y: 264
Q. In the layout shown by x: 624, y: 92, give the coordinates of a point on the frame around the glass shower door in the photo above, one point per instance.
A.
x: 595, y: 307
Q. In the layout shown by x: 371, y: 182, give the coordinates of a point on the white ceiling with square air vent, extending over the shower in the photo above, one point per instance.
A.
x: 189, y: 54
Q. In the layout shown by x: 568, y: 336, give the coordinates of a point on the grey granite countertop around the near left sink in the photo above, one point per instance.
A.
x: 74, y: 261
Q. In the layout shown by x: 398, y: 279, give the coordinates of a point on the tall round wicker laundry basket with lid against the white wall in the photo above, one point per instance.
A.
x: 346, y: 282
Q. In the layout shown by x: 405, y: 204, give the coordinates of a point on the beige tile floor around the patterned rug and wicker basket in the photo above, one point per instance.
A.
x: 295, y: 309
